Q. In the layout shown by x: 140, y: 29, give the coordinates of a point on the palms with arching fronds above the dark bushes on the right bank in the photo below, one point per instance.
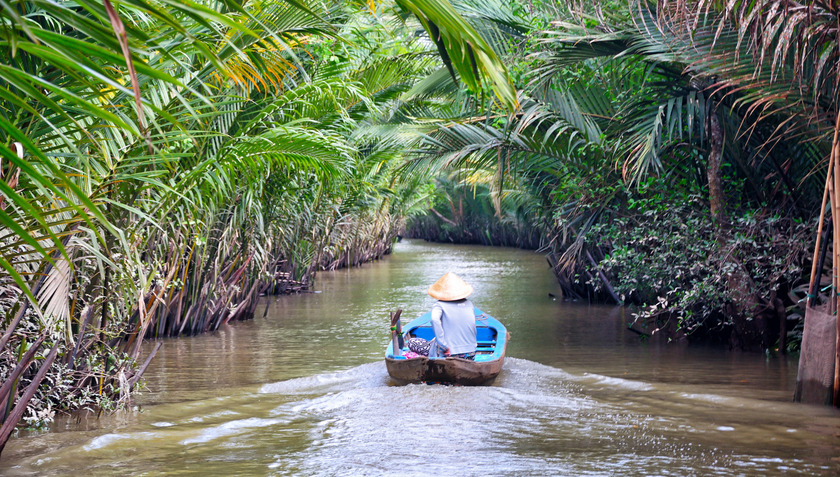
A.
x: 635, y: 91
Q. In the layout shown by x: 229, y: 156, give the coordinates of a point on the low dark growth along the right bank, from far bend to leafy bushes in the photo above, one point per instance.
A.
x: 742, y: 286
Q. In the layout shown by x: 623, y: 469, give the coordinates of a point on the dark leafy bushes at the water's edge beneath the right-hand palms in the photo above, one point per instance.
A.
x: 670, y: 258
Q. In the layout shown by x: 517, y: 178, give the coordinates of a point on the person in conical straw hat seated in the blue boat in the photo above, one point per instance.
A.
x: 453, y: 321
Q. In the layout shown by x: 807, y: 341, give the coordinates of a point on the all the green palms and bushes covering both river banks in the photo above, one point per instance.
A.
x: 164, y: 164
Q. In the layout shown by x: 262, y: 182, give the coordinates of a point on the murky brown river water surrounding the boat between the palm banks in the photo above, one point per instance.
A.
x: 304, y: 391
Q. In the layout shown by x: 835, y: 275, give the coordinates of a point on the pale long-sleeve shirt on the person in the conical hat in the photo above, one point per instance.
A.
x: 454, y: 325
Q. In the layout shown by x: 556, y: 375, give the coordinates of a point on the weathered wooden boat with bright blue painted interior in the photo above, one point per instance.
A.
x: 492, y: 337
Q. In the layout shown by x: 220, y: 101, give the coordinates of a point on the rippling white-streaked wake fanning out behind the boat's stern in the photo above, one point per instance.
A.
x: 532, y: 420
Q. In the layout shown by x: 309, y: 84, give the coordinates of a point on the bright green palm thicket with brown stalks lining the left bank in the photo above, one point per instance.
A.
x: 179, y: 159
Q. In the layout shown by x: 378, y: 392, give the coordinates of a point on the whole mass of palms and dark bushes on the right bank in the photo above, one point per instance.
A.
x: 677, y: 150
